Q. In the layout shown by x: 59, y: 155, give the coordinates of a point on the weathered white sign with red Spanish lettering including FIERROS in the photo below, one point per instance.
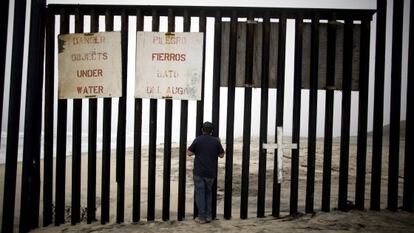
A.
x: 169, y: 65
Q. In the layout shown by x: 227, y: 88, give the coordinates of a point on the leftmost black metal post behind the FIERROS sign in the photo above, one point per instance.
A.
x: 136, y: 198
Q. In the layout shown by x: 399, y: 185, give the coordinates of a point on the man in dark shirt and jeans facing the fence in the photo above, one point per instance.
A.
x: 206, y: 149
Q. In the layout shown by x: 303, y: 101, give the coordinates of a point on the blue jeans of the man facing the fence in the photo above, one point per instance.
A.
x: 203, y: 191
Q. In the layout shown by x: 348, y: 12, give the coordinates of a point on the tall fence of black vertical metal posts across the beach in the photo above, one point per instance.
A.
x: 310, y: 26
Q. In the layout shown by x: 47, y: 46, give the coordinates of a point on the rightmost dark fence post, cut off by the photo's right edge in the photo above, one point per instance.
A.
x: 408, y: 193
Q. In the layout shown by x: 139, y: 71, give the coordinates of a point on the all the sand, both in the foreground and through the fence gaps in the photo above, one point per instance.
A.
x: 334, y: 221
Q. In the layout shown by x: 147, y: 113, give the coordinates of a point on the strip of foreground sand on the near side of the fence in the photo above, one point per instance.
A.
x: 353, y: 221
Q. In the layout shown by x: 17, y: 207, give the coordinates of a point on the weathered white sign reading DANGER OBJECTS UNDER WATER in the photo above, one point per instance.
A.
x: 90, y: 65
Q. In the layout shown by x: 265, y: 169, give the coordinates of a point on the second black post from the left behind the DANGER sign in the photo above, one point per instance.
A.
x: 76, y: 144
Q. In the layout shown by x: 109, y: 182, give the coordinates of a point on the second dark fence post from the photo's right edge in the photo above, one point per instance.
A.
x: 396, y: 71
